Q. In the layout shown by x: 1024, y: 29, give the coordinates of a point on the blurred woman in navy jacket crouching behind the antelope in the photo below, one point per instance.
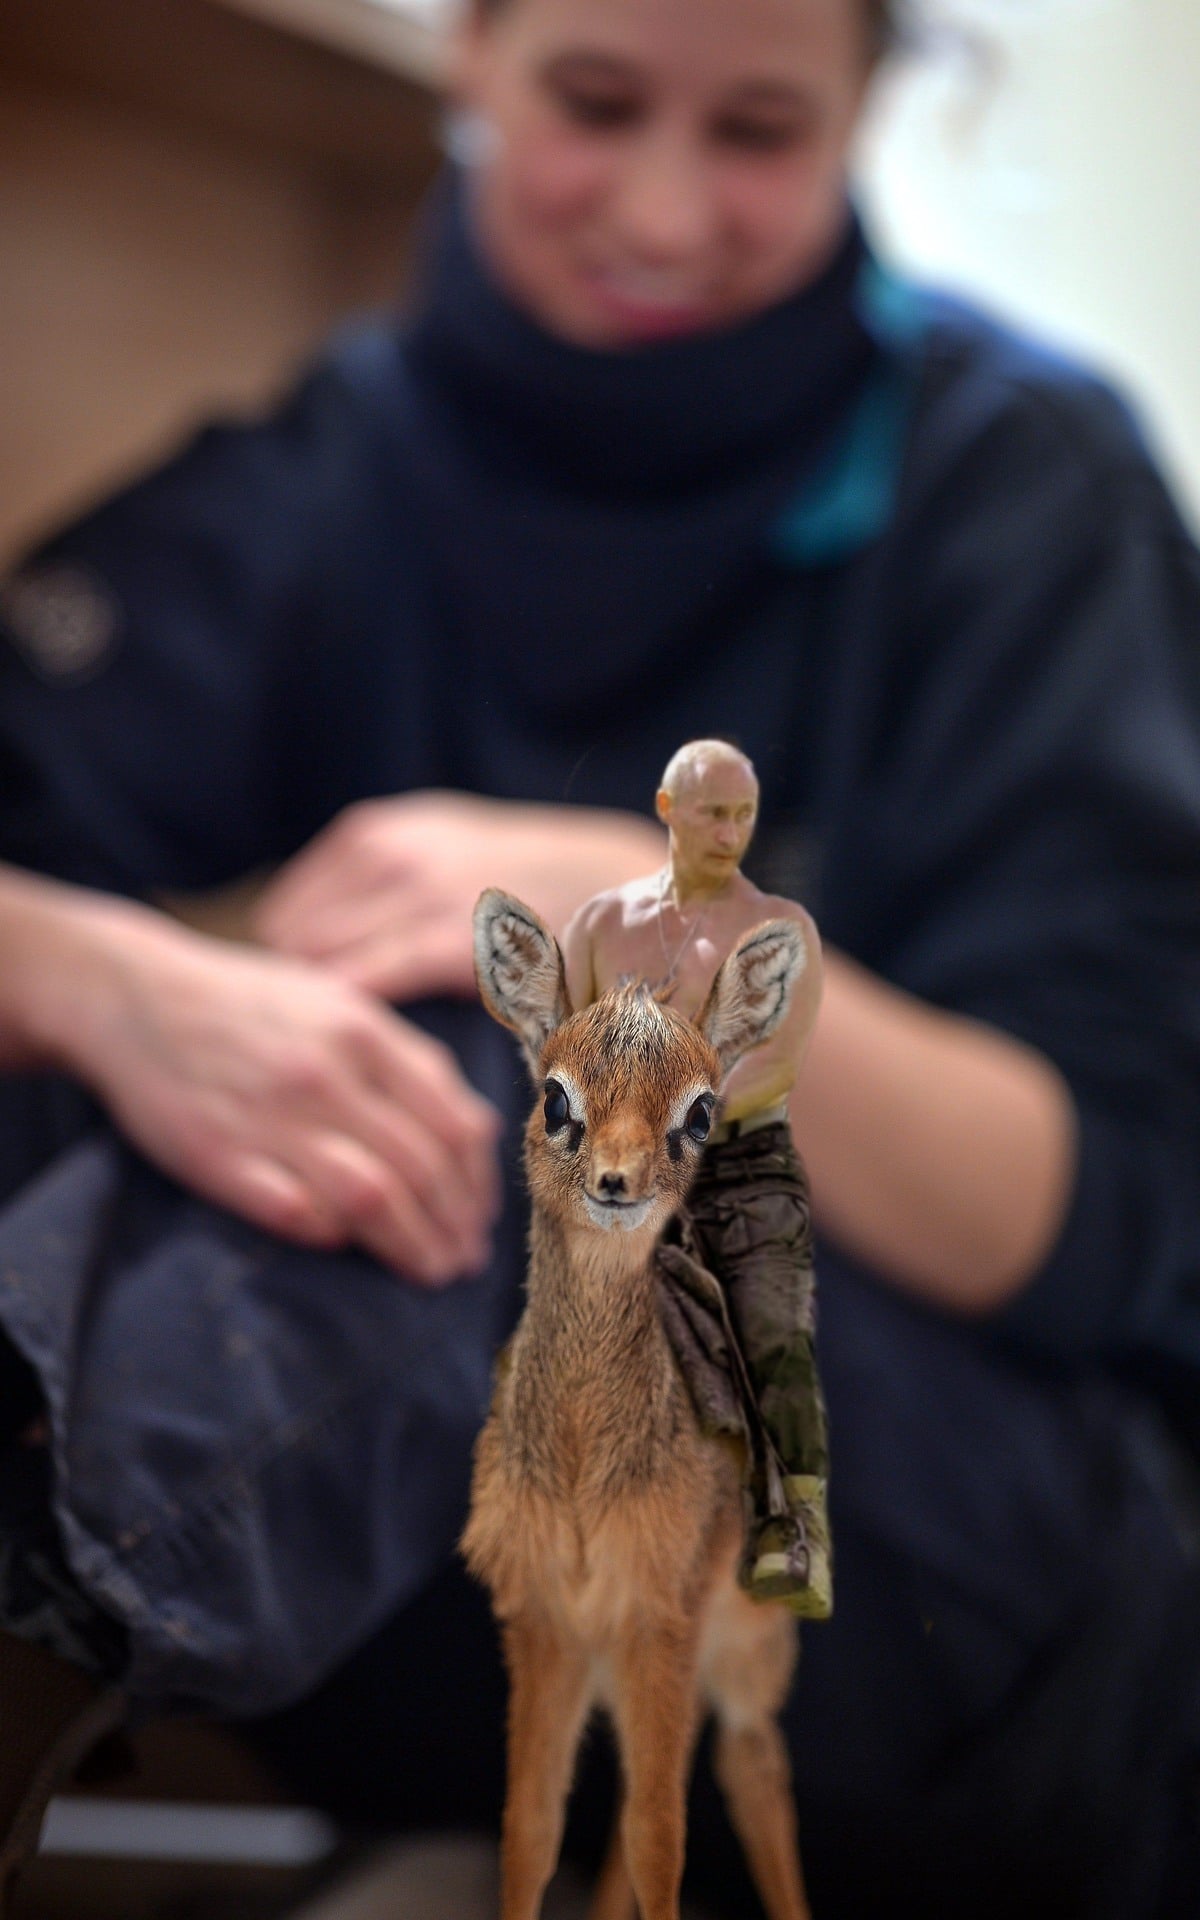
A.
x: 661, y: 454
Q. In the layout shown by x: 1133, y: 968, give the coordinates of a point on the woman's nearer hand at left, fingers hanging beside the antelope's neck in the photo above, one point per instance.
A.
x: 262, y: 1084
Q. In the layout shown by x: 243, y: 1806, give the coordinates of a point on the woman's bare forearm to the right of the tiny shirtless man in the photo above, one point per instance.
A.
x: 942, y: 1151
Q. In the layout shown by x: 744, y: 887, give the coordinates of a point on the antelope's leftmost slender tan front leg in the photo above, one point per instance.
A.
x: 548, y: 1700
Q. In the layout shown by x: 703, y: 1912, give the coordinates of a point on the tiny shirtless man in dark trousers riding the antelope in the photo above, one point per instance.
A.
x: 748, y: 1216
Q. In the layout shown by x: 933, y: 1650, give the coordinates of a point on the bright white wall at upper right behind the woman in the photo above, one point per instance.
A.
x: 1057, y: 176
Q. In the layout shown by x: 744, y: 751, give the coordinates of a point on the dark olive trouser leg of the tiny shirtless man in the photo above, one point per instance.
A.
x: 750, y: 1222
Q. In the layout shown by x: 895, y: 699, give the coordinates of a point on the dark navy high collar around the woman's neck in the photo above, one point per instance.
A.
x: 665, y: 420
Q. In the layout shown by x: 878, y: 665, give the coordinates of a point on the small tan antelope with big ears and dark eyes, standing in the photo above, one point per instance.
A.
x: 604, y: 1524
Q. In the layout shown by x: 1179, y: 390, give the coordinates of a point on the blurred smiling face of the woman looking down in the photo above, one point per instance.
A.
x: 660, y: 168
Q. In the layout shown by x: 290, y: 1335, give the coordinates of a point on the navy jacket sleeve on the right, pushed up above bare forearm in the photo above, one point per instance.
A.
x: 1036, y: 825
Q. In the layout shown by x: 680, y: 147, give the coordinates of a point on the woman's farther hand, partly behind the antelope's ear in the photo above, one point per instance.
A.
x: 385, y: 894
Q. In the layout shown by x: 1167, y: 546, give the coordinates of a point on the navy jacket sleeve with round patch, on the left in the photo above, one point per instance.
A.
x: 145, y: 658
